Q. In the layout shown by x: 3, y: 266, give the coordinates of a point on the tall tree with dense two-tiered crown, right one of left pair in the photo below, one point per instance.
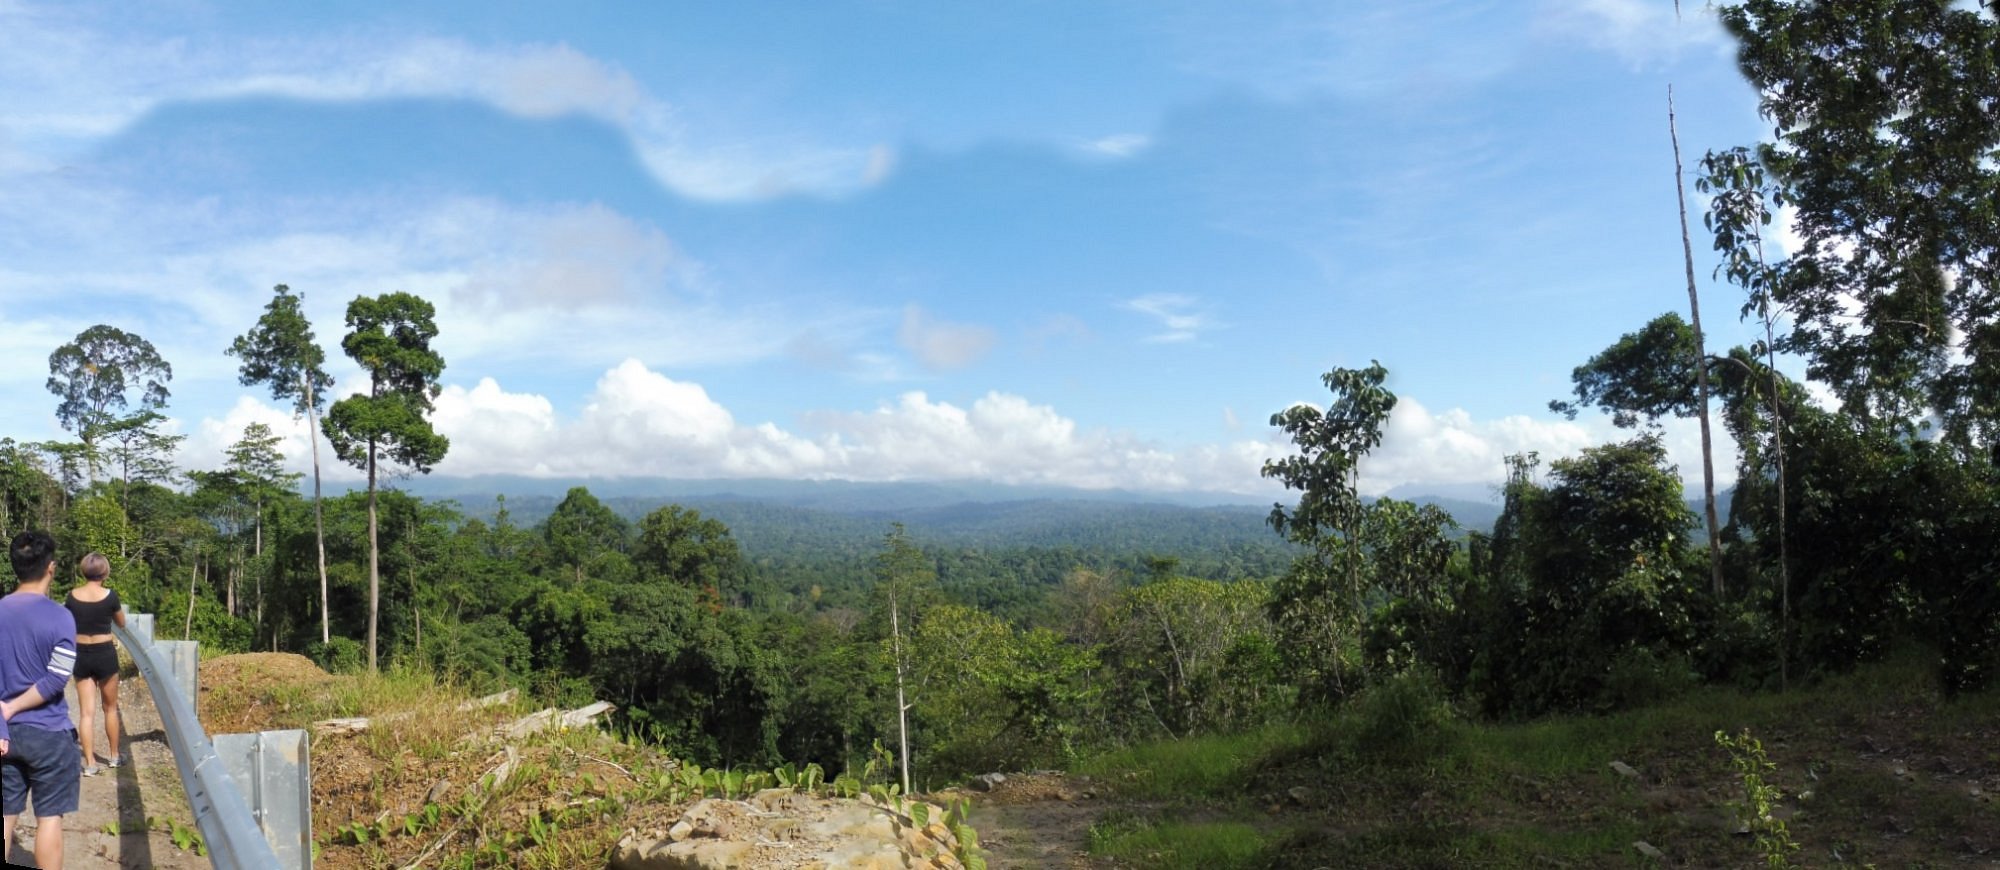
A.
x: 391, y: 339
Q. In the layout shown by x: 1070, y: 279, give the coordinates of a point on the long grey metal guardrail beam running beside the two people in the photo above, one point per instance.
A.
x: 229, y: 827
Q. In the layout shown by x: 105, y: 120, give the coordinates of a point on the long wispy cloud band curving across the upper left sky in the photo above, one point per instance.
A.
x: 75, y: 83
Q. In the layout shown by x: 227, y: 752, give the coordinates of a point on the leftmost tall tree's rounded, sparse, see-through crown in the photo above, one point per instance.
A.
x: 95, y: 377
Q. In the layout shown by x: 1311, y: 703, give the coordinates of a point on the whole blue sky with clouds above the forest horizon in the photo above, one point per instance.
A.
x: 1091, y: 245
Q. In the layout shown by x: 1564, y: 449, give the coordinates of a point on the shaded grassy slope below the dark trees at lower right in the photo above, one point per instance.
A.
x: 1869, y: 767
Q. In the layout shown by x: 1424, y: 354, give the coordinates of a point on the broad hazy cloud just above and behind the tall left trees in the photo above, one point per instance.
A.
x: 567, y: 285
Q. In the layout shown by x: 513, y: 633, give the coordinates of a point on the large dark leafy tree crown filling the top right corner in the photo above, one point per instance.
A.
x: 1889, y: 153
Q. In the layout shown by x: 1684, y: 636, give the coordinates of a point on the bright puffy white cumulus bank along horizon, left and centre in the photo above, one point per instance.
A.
x: 639, y: 423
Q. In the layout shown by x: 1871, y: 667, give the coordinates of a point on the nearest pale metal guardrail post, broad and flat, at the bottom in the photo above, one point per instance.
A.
x: 275, y: 775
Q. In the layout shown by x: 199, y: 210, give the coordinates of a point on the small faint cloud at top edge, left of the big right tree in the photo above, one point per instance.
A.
x: 1643, y: 33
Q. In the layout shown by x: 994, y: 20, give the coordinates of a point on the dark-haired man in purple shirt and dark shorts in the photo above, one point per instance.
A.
x: 37, y: 745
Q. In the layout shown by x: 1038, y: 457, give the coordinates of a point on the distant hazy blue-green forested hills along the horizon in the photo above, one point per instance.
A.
x: 999, y: 547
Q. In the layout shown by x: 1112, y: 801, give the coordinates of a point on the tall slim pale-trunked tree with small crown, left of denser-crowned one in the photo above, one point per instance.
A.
x: 281, y: 353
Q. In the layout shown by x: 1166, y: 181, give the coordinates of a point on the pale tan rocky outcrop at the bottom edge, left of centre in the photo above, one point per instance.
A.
x: 785, y: 829
